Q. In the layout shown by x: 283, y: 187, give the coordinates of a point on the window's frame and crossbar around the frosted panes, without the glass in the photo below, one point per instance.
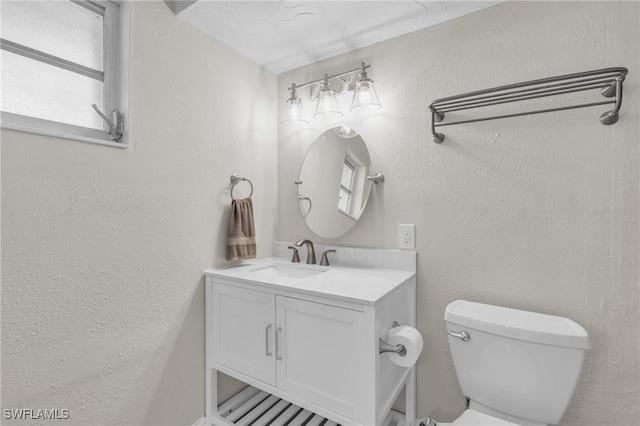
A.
x: 116, y: 81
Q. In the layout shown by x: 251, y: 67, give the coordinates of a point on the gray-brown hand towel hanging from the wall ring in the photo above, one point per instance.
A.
x: 241, y: 235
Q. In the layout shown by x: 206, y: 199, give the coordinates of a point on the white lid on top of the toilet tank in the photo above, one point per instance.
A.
x: 517, y: 324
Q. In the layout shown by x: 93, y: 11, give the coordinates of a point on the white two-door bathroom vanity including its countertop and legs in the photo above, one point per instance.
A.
x: 303, y: 342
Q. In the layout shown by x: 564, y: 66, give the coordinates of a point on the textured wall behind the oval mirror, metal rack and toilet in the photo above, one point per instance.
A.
x: 539, y: 213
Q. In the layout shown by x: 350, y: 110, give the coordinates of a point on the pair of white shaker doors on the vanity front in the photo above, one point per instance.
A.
x: 309, y: 349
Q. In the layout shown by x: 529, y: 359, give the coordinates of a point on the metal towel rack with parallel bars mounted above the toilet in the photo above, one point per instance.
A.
x: 608, y: 80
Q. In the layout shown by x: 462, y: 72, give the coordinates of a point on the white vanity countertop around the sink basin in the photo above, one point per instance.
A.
x: 363, y: 285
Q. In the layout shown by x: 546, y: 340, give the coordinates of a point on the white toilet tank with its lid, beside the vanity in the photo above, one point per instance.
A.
x: 519, y: 363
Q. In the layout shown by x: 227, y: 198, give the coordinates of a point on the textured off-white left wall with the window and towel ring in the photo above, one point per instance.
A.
x: 103, y: 249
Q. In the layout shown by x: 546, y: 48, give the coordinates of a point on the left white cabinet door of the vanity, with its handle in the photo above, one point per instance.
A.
x: 244, y: 331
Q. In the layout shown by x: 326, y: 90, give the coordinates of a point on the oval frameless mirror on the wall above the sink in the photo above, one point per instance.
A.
x: 333, y: 188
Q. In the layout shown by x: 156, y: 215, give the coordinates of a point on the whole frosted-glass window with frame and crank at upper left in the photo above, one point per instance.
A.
x: 59, y: 59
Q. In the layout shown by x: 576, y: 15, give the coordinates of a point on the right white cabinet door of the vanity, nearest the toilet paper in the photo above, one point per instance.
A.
x: 320, y: 353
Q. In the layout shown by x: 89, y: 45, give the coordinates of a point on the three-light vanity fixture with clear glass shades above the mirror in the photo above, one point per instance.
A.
x: 327, y: 105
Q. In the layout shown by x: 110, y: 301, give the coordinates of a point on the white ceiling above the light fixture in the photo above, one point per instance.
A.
x: 284, y: 35
